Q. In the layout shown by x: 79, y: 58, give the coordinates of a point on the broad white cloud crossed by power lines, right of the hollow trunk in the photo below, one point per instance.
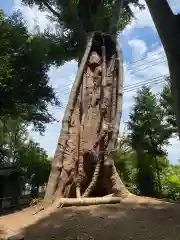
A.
x: 154, y: 65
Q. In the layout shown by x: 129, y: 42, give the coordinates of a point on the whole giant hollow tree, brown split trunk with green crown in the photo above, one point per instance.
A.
x: 82, y: 165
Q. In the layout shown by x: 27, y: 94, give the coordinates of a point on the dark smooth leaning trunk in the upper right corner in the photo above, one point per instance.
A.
x: 168, y: 26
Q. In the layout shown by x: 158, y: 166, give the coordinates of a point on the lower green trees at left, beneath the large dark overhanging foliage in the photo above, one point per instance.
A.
x: 30, y: 159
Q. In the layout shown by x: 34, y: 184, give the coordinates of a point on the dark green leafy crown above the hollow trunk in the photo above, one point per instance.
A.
x: 76, y: 19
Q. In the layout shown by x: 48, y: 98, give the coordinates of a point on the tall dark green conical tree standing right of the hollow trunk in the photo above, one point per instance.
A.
x: 148, y: 136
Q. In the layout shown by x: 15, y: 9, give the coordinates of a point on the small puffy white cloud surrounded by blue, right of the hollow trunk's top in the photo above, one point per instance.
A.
x: 138, y: 47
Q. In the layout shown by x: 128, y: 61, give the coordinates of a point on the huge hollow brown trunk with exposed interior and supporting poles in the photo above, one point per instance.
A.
x: 82, y: 166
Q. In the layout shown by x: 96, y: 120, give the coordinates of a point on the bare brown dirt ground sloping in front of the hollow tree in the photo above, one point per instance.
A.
x: 136, y: 218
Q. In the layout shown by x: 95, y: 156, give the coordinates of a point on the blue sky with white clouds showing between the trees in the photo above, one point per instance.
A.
x: 144, y: 59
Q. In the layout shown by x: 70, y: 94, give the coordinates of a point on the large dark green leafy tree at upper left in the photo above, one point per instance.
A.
x: 24, y: 84
